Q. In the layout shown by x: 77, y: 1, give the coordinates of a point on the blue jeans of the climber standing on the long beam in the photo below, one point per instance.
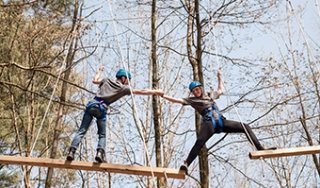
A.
x: 97, y: 110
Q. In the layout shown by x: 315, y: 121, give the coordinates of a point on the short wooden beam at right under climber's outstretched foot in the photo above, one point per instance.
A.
x: 284, y: 152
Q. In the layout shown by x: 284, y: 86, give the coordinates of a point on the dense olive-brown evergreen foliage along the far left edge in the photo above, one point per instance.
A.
x: 28, y: 51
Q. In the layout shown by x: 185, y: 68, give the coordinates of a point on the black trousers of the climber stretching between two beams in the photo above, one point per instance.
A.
x: 229, y: 126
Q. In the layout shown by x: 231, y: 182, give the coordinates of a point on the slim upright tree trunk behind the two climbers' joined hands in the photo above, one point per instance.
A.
x: 161, y: 182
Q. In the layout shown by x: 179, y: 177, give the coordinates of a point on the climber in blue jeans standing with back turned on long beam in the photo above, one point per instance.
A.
x: 109, y: 92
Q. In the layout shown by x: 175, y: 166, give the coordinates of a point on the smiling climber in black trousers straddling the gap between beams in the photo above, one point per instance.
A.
x: 212, y: 119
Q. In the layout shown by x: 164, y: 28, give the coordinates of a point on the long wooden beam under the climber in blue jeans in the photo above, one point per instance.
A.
x: 91, y: 166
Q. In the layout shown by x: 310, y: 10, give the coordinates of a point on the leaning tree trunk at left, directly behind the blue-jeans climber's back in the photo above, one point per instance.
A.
x: 64, y: 87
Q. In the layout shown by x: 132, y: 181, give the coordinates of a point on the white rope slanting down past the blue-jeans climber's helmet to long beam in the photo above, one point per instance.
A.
x: 137, y: 123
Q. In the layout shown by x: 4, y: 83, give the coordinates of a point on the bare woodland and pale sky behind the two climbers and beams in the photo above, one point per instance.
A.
x: 268, y: 53
